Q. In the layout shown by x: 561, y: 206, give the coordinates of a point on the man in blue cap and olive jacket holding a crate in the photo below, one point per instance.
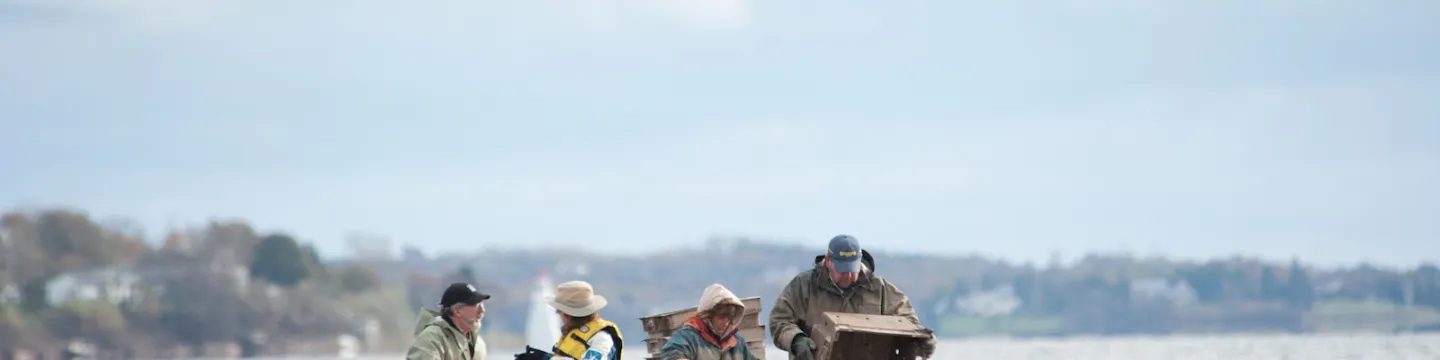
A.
x: 843, y: 282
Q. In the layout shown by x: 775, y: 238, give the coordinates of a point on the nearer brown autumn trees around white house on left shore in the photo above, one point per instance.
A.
x: 222, y: 287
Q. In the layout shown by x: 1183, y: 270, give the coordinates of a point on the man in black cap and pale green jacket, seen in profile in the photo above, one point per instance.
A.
x: 453, y: 333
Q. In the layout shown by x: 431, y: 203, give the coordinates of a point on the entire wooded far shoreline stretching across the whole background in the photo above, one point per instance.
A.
x: 66, y: 277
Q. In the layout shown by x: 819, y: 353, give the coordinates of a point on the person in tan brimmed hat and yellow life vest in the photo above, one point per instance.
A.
x: 584, y: 335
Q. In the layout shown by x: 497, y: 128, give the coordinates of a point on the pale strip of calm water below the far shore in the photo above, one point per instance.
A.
x: 1189, y: 348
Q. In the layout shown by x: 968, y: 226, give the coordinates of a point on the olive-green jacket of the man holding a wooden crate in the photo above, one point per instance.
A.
x: 810, y: 294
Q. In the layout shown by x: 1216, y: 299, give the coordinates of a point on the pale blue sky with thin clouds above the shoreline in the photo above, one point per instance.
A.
x: 1020, y: 129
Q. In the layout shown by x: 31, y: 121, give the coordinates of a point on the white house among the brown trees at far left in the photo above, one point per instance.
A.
x: 112, y: 284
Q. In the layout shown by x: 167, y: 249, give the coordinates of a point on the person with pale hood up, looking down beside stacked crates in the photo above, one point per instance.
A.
x: 712, y: 332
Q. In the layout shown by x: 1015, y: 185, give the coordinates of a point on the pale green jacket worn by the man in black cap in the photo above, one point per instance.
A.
x: 436, y: 339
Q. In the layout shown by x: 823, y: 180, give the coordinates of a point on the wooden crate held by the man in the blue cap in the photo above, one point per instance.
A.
x: 859, y: 336
